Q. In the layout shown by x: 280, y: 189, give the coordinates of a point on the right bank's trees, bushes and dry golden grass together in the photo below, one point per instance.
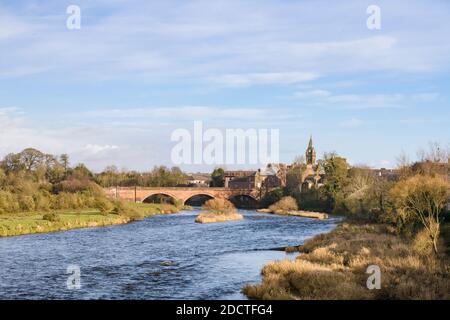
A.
x: 400, y: 224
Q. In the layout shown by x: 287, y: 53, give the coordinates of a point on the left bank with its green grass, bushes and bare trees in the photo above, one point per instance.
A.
x: 42, y: 193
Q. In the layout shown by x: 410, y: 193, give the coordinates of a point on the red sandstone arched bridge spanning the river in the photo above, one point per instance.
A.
x: 181, y: 194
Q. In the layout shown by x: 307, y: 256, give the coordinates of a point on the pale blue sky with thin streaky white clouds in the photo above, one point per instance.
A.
x: 113, y: 91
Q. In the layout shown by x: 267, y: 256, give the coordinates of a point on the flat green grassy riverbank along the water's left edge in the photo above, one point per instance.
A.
x: 30, y: 223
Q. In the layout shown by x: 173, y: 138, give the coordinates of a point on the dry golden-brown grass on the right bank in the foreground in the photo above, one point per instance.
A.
x: 333, y: 266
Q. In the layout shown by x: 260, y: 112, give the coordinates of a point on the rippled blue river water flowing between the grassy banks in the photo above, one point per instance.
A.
x: 161, y: 257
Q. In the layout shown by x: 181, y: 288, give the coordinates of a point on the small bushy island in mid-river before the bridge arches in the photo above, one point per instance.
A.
x: 218, y: 210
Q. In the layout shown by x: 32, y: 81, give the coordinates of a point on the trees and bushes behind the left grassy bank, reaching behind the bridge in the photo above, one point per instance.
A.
x: 35, y: 181
